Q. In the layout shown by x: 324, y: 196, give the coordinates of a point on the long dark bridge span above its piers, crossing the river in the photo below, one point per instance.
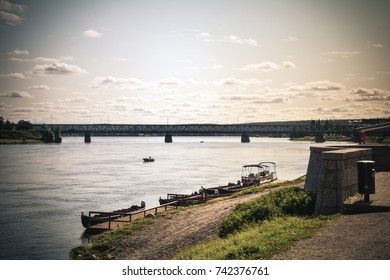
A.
x: 278, y: 129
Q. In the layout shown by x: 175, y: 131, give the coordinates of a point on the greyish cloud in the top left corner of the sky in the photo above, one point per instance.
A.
x: 12, y: 14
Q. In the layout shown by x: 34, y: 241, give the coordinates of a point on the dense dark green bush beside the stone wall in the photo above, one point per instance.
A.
x: 289, y: 201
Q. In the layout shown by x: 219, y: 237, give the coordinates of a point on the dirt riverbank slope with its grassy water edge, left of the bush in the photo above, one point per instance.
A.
x: 164, y: 237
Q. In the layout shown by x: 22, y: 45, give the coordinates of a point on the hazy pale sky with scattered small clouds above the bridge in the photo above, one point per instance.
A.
x: 203, y: 61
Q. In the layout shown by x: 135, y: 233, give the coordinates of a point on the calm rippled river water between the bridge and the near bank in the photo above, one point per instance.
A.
x: 45, y: 187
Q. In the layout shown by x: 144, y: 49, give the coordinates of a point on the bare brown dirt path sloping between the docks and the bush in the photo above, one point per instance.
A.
x: 167, y: 236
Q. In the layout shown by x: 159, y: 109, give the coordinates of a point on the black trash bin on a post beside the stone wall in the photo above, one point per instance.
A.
x: 366, y: 177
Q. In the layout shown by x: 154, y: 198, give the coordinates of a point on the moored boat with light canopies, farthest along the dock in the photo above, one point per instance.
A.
x: 256, y: 174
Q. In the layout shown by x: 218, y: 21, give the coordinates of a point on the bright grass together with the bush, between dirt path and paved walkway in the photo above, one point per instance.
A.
x: 261, y: 228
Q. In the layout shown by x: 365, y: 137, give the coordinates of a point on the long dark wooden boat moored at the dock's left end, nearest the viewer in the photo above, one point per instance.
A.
x: 101, y: 217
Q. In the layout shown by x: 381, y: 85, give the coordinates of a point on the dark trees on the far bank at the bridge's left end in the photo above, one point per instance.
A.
x: 23, y: 132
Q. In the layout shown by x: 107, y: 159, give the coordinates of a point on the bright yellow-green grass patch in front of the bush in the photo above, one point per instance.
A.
x: 257, y: 240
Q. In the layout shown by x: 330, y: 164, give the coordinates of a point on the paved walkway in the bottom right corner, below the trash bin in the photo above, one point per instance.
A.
x: 363, y: 233
